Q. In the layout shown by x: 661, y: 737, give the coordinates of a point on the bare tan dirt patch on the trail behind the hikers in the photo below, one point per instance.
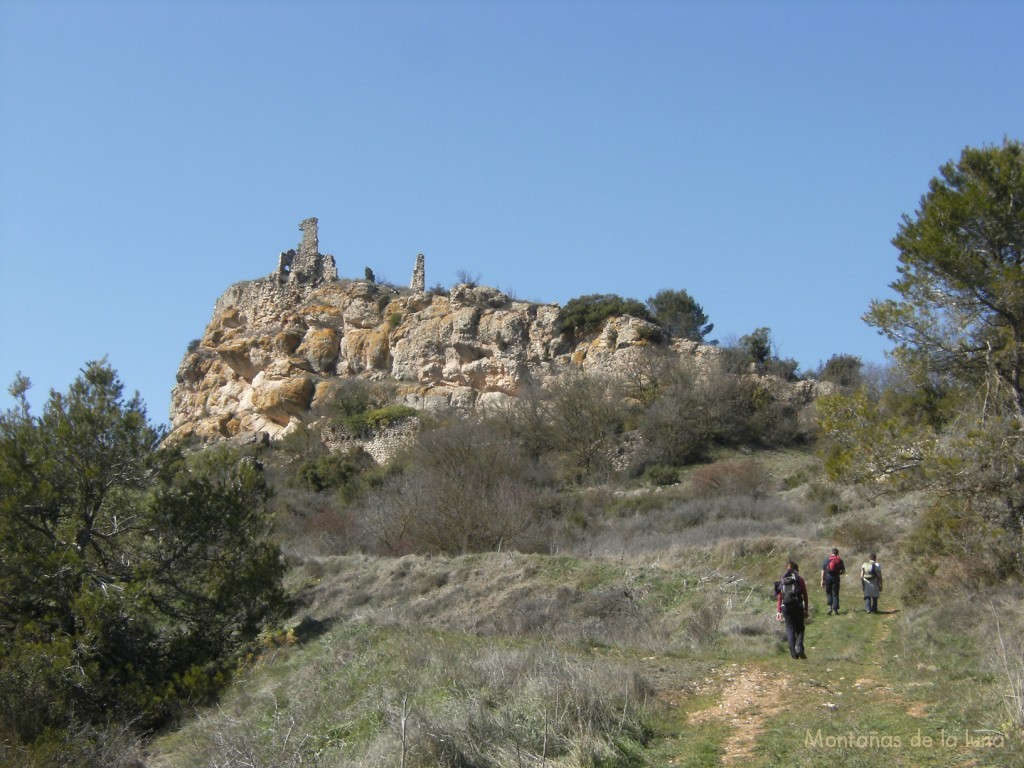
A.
x: 750, y: 697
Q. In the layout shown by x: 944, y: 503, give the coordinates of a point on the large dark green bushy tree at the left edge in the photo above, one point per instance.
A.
x: 127, y: 574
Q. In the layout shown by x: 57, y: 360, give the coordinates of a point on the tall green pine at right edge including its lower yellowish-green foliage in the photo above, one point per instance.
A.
x: 952, y: 420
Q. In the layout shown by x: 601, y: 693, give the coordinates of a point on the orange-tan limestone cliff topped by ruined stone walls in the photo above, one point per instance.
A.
x: 279, y: 347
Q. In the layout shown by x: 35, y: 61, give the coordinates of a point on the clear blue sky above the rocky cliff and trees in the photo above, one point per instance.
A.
x: 758, y: 155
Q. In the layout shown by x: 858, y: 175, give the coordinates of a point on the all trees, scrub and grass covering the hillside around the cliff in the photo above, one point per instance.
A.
x: 580, y: 579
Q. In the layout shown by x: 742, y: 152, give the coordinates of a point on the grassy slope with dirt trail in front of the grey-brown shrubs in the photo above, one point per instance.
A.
x: 435, y: 643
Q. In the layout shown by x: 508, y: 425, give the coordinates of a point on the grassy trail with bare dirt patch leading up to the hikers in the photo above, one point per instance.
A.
x: 855, y: 702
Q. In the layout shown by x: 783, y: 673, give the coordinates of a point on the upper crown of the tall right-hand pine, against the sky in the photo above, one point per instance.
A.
x: 961, y: 307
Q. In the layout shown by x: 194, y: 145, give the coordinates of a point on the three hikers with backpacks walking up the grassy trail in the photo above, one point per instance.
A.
x: 793, y: 604
